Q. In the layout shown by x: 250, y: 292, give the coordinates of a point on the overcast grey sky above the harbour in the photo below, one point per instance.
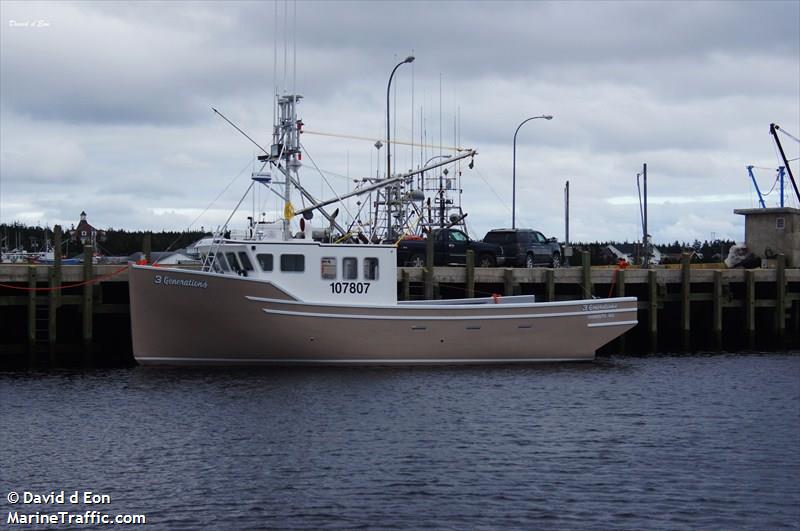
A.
x: 106, y: 107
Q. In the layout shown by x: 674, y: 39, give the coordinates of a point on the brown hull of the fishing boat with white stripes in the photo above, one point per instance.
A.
x: 190, y: 318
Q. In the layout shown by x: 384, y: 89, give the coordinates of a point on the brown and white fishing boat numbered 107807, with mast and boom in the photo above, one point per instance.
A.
x: 266, y: 295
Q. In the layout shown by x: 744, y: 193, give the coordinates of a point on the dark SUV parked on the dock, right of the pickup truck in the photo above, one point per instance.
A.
x: 526, y: 247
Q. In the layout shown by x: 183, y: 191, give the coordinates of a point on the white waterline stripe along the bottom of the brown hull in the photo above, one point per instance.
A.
x: 333, y: 361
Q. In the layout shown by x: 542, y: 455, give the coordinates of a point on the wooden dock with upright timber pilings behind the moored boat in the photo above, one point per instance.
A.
x: 86, y: 307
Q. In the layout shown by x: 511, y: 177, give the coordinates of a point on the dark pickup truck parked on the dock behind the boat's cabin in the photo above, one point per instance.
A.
x: 450, y: 246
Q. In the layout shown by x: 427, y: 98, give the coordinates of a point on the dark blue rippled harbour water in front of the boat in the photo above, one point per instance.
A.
x: 701, y: 442
